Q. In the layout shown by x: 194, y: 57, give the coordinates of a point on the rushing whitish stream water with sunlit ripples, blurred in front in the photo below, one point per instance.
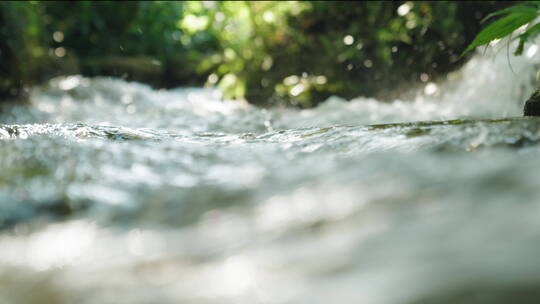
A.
x: 111, y: 192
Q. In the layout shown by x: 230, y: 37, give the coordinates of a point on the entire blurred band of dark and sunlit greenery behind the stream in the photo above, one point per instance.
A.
x: 293, y: 53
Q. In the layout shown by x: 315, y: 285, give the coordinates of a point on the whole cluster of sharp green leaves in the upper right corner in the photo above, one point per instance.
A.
x: 514, y: 18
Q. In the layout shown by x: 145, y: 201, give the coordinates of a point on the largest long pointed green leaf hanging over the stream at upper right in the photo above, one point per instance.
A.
x: 501, y: 28
